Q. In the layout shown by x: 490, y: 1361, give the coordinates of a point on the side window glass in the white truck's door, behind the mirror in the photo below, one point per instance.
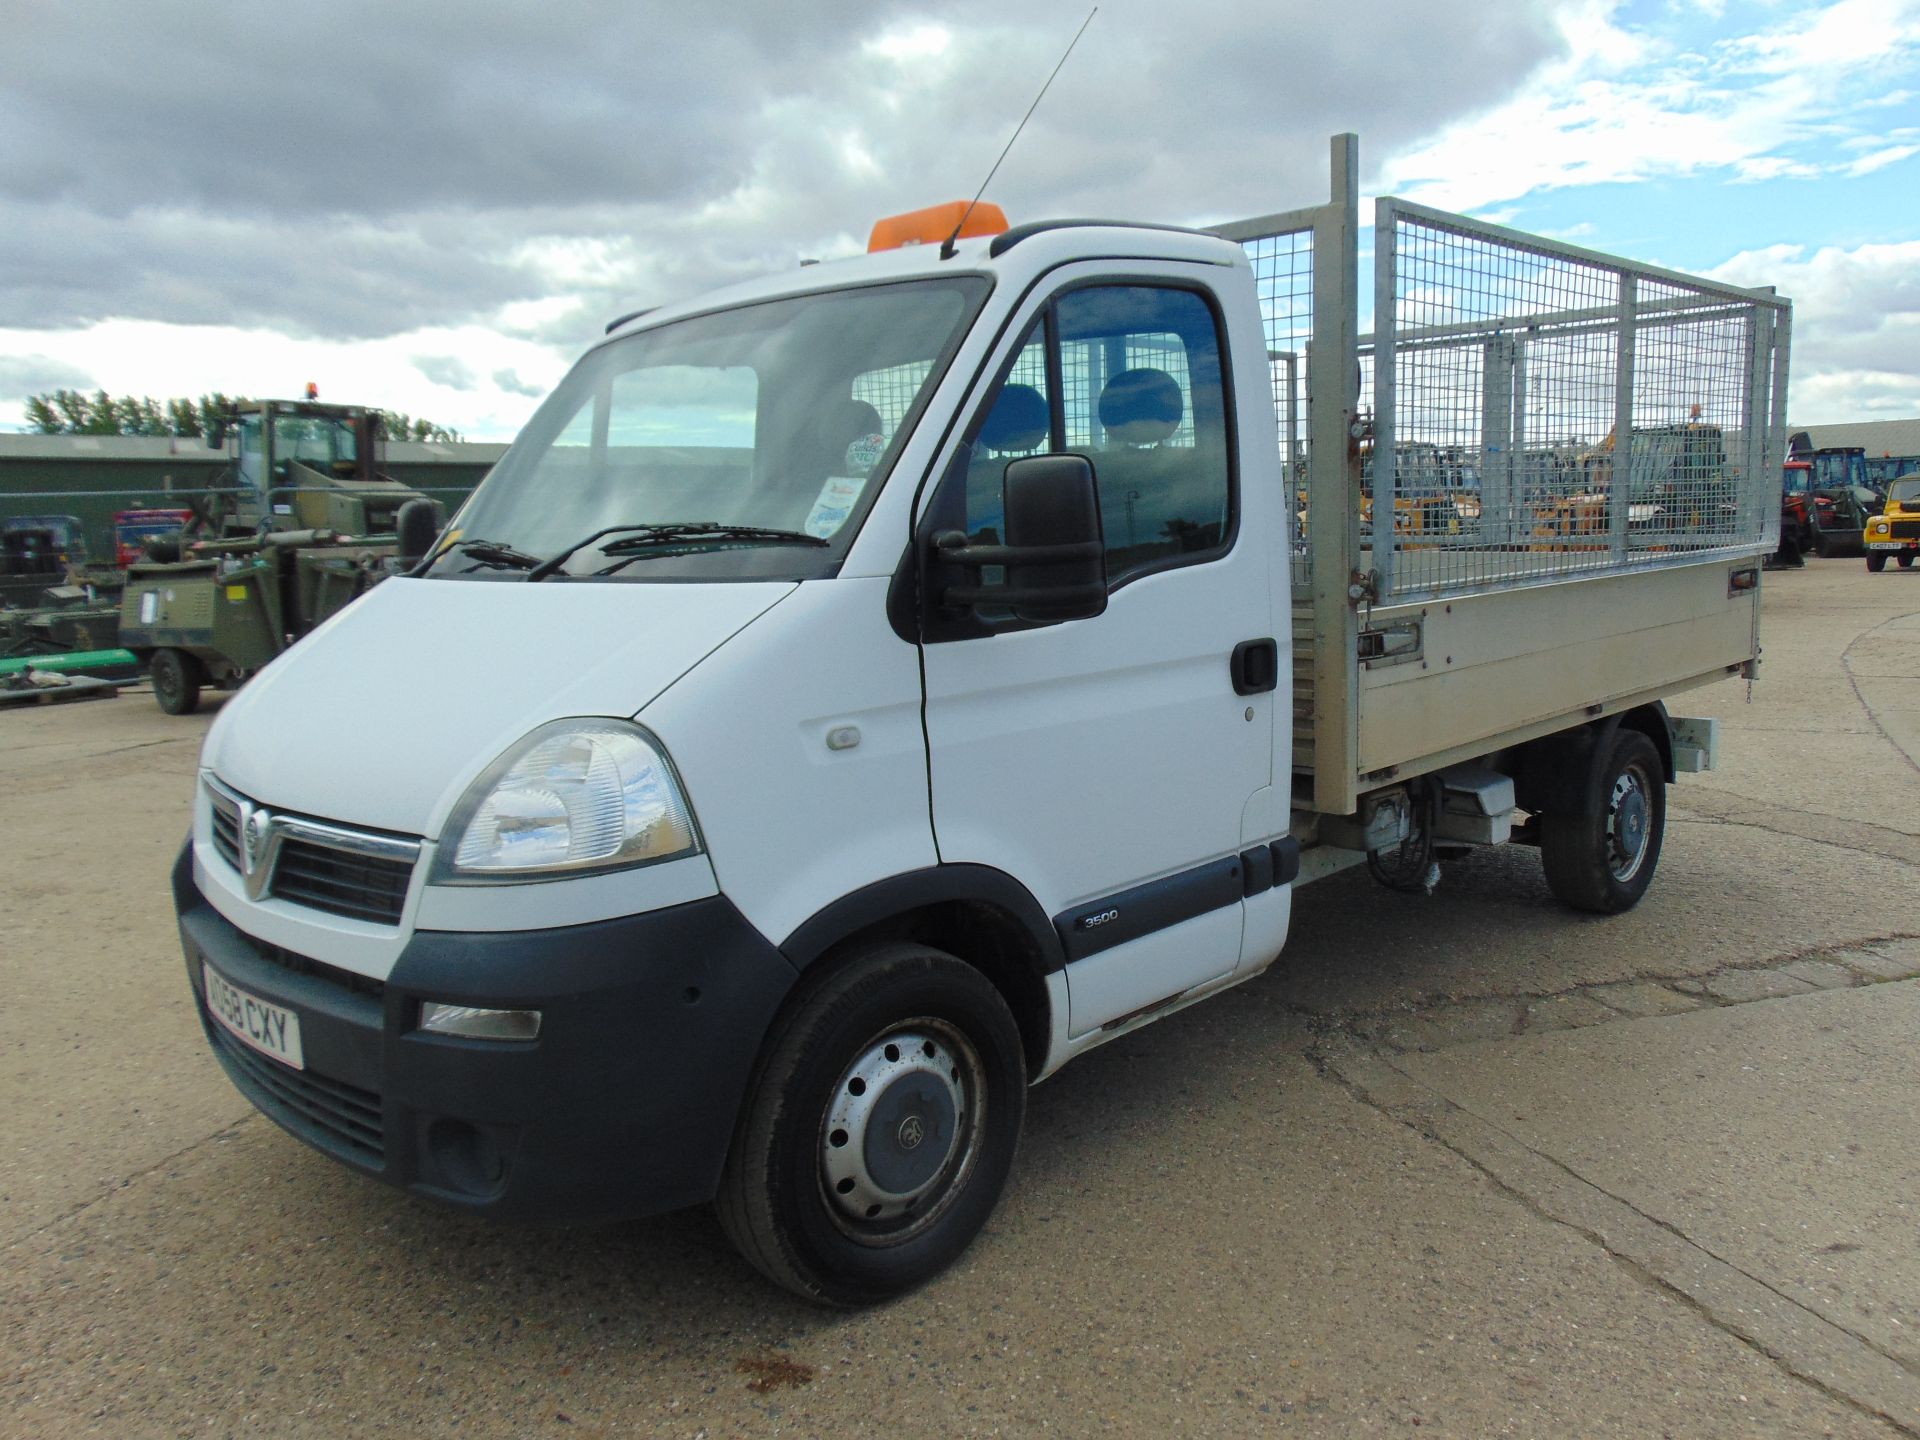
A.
x: 1141, y: 396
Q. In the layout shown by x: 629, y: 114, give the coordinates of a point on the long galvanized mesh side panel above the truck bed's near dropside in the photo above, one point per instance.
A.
x: 1552, y: 412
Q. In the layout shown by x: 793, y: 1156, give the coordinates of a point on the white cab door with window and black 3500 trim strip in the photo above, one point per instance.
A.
x: 1107, y: 761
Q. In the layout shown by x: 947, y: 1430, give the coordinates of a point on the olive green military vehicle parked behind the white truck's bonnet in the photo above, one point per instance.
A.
x: 302, y: 525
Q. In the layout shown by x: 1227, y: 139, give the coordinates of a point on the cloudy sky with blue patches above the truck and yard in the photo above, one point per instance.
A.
x: 435, y: 206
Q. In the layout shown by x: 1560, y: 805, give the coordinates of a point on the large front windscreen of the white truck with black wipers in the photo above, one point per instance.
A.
x: 771, y: 425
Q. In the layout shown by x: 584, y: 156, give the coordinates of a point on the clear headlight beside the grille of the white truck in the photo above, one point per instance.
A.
x: 571, y: 798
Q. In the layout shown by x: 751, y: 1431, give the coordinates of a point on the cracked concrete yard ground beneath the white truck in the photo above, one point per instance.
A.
x: 1462, y: 1164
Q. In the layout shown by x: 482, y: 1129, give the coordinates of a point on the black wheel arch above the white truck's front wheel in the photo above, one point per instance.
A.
x: 974, y: 913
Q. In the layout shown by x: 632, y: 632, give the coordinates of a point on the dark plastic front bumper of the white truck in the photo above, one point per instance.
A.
x: 623, y: 1107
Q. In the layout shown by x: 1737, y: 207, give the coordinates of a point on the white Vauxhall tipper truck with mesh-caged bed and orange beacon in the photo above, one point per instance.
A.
x: 865, y: 690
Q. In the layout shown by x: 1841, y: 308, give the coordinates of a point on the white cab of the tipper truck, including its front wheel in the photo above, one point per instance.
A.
x: 757, y: 725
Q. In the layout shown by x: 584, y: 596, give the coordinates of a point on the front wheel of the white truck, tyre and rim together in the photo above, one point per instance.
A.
x: 880, y: 1130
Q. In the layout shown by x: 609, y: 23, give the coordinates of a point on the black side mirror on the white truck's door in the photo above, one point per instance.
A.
x: 1055, y: 554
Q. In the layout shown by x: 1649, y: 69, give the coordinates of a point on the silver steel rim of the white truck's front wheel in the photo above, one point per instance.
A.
x: 871, y: 1118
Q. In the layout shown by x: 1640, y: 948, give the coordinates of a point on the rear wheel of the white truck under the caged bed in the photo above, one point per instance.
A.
x: 1602, y: 861
